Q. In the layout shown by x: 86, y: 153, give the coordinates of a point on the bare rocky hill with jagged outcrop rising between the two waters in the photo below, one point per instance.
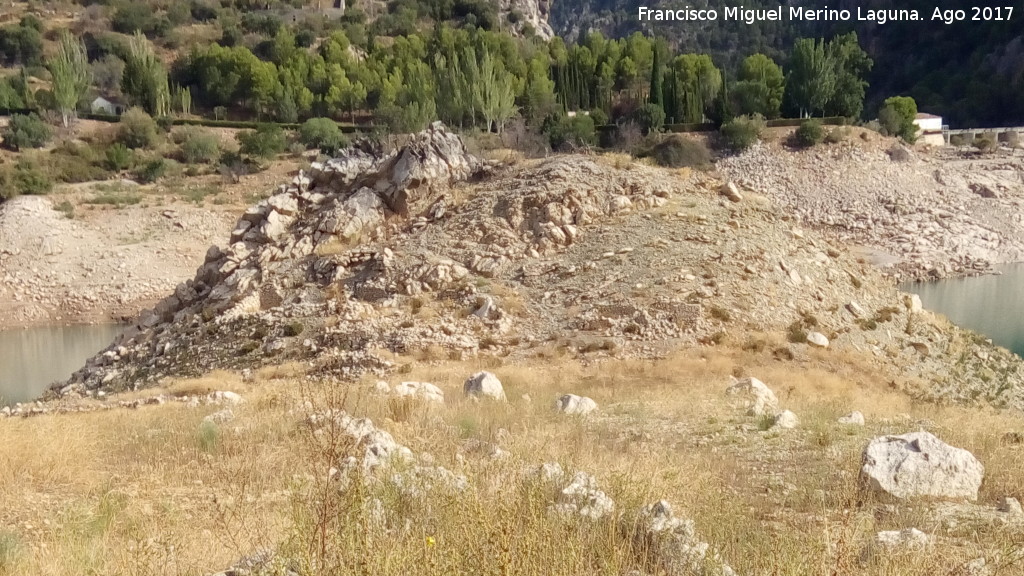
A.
x: 433, y: 253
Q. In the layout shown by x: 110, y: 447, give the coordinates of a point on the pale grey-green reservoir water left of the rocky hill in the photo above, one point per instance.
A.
x: 32, y: 359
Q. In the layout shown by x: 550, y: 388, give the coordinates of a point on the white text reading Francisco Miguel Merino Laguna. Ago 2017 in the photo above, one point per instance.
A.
x: 781, y: 14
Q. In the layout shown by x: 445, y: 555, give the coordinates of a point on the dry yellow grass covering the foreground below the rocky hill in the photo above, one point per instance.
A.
x: 154, y: 491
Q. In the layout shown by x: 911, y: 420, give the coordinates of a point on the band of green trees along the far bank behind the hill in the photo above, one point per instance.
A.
x: 467, y: 76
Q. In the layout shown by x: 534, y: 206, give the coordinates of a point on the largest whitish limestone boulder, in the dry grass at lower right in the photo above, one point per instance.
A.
x: 921, y: 465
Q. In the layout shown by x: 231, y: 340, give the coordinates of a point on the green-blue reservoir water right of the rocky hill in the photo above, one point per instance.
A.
x: 993, y: 306
